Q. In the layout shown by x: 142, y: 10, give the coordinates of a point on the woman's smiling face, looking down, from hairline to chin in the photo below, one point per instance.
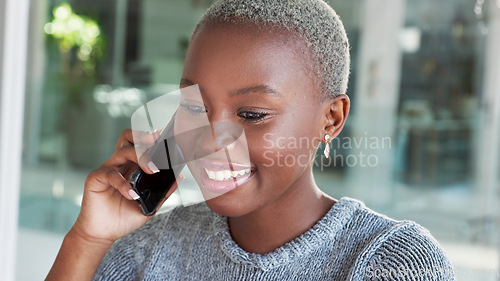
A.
x: 258, y: 82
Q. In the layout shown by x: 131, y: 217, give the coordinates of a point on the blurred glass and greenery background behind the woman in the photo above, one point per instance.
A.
x: 421, y: 143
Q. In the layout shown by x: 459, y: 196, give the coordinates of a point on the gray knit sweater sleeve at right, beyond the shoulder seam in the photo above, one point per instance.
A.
x: 406, y: 251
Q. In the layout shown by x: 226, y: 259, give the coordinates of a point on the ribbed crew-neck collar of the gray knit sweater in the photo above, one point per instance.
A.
x: 311, y: 240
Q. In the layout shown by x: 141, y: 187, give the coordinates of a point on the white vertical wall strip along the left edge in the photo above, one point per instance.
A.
x: 13, y: 38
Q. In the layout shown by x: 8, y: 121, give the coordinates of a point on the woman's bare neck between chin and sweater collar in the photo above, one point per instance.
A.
x: 281, y: 221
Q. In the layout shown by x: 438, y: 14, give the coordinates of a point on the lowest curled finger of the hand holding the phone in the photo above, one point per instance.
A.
x: 102, y: 180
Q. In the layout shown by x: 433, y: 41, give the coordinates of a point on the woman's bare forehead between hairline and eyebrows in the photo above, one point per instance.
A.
x: 239, y: 54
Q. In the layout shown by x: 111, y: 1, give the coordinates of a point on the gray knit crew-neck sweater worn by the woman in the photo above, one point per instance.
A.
x: 351, y: 242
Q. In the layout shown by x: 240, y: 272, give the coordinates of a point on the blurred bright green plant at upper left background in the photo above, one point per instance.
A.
x: 81, y: 45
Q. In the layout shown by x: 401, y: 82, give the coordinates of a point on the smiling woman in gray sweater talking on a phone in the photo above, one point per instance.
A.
x: 279, y: 69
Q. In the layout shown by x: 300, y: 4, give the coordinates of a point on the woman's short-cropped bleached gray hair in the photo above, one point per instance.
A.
x: 313, y: 21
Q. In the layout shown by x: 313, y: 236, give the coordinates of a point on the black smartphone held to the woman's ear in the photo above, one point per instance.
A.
x: 167, y: 156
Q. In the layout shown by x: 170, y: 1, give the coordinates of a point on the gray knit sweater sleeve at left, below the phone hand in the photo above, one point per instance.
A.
x: 126, y: 258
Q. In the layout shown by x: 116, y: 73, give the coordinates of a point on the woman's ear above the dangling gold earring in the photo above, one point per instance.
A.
x: 335, y: 113
